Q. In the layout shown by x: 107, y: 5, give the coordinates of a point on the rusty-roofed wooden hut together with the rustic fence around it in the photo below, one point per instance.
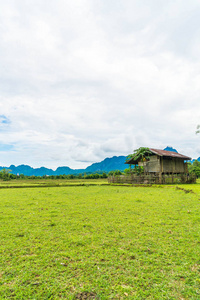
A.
x: 160, y: 167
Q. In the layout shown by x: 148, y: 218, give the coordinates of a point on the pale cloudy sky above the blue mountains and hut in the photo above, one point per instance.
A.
x: 83, y: 80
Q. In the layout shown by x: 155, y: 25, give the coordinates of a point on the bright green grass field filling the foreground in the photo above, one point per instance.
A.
x: 100, y: 242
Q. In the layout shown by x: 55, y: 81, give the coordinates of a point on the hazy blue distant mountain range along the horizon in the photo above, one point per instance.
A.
x: 107, y: 165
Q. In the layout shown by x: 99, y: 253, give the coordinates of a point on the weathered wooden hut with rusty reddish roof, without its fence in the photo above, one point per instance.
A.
x: 162, y: 162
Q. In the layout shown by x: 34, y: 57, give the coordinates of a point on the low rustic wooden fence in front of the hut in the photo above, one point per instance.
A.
x: 152, y: 178
